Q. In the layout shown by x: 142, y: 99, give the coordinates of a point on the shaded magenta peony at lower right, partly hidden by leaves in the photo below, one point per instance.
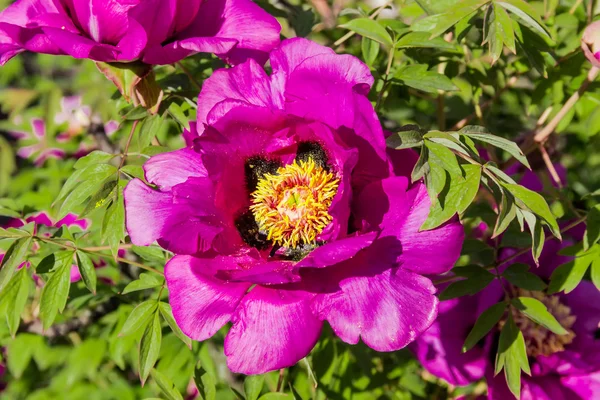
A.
x: 562, y: 366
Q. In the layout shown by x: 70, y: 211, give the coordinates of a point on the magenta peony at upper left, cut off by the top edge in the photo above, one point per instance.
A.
x: 153, y: 31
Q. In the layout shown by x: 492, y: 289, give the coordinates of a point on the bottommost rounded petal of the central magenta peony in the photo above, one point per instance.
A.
x: 272, y: 329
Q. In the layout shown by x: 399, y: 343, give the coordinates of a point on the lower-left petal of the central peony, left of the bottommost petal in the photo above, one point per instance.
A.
x: 201, y: 303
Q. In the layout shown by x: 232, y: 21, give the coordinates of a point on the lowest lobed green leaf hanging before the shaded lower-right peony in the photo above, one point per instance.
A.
x: 512, y: 356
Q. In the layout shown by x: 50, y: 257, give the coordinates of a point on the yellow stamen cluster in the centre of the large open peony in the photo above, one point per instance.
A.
x: 292, y: 205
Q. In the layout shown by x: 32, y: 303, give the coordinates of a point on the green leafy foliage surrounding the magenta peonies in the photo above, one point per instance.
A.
x: 441, y: 66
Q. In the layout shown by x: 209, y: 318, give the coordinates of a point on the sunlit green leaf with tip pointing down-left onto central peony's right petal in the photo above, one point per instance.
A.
x: 459, y: 195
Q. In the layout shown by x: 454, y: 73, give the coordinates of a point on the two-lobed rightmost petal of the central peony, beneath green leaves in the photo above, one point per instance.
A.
x: 398, y: 212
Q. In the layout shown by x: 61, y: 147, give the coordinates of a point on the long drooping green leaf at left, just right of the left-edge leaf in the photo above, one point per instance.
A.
x: 56, y: 291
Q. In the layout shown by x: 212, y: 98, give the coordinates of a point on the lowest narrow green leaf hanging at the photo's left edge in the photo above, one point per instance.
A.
x: 13, y: 299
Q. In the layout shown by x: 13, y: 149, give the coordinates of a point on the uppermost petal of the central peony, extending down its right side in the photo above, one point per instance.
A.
x: 313, y: 82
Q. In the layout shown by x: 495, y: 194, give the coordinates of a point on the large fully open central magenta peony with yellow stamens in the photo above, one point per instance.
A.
x: 286, y: 210
